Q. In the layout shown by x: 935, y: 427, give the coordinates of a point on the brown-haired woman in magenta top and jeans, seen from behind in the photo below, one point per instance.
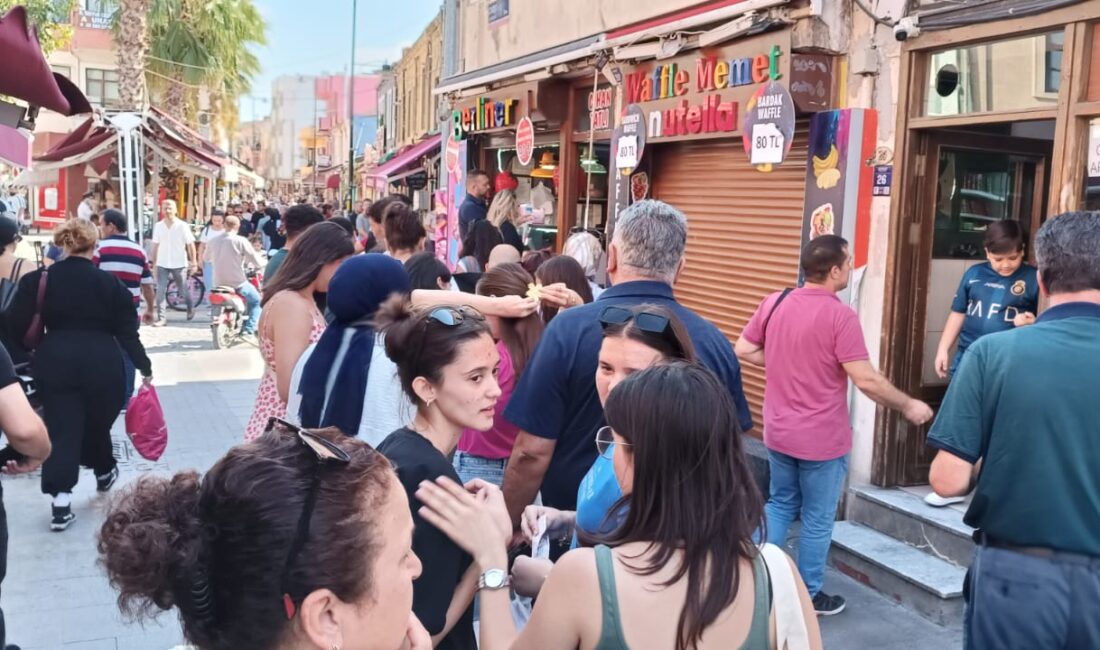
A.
x: 485, y: 454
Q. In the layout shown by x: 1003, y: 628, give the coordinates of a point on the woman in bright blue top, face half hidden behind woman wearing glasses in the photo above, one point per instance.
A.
x: 634, y: 339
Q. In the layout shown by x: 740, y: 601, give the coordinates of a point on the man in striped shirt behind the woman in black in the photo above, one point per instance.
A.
x: 126, y: 260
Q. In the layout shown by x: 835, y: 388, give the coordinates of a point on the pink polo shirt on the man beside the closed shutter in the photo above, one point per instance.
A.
x: 806, y: 404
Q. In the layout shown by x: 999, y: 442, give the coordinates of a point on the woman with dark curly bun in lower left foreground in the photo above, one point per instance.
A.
x: 299, y: 541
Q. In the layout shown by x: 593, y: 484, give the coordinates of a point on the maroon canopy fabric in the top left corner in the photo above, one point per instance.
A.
x: 26, y: 75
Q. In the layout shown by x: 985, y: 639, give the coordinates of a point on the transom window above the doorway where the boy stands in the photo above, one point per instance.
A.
x: 1000, y: 76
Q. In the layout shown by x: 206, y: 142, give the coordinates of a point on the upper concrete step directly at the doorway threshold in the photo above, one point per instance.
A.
x: 906, y: 517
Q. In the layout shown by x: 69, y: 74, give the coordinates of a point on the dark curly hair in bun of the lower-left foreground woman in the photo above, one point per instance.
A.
x: 227, y: 537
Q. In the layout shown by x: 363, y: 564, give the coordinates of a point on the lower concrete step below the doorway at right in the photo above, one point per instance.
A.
x: 931, y: 587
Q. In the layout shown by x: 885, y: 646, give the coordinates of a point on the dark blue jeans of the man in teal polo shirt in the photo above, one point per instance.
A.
x: 1017, y: 602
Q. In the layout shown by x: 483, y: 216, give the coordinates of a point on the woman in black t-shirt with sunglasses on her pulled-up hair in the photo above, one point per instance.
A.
x: 447, y: 363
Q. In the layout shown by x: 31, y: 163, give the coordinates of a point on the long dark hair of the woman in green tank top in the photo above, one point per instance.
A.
x: 694, y: 490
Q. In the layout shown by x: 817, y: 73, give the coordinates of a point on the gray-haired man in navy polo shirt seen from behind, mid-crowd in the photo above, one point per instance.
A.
x: 556, y: 405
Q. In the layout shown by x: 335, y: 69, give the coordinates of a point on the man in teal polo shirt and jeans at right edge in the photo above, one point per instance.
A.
x: 1024, y: 404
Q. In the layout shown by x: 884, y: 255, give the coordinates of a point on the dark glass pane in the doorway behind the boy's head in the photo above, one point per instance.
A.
x: 976, y: 189
